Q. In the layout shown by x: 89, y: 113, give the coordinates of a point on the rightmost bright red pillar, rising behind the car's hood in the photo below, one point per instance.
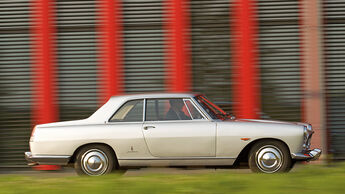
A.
x: 244, y: 56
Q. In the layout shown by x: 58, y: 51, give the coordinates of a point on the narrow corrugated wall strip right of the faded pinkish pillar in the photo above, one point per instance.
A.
x: 334, y: 43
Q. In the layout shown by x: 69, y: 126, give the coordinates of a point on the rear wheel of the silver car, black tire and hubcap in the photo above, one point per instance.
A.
x: 95, y: 160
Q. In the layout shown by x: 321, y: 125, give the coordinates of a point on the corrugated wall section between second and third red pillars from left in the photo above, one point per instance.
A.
x: 143, y: 40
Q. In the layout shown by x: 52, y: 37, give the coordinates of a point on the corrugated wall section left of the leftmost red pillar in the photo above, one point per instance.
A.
x: 15, y: 81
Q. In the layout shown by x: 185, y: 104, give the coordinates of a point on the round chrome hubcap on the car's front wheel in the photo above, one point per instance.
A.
x: 269, y: 159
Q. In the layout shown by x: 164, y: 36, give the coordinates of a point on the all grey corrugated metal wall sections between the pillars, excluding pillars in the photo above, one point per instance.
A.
x: 279, y: 48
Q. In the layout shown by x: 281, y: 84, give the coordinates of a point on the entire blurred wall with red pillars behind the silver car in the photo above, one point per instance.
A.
x: 274, y: 59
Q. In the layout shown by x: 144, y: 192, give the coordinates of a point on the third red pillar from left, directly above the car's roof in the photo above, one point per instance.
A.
x: 177, y: 43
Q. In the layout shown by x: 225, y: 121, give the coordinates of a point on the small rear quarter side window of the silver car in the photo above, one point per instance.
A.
x: 131, y: 111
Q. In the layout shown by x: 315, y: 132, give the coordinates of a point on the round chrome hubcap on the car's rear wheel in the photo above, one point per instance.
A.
x: 94, y: 162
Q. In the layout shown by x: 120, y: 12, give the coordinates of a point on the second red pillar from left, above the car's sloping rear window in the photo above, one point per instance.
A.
x: 110, y: 62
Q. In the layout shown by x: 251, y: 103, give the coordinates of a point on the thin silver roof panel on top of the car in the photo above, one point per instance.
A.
x: 156, y: 95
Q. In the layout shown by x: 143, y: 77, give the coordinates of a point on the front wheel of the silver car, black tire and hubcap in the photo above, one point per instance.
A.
x: 269, y: 156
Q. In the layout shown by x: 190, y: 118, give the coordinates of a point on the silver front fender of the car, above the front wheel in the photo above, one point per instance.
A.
x: 234, y: 136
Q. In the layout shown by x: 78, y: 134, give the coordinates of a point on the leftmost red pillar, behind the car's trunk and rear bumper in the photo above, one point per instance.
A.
x: 43, y: 54
